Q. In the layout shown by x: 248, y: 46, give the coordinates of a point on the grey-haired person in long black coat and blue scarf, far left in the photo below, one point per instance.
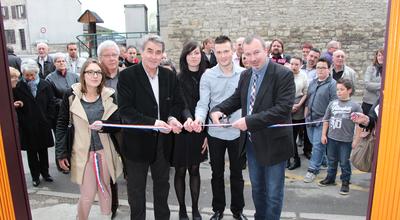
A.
x: 35, y: 117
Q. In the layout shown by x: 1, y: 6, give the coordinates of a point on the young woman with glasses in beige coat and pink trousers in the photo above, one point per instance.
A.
x: 93, y: 157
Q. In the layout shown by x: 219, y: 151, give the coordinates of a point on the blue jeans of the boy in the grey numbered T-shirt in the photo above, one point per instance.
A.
x: 339, y: 151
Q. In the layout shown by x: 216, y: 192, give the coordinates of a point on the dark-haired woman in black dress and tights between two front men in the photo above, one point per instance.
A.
x: 189, y: 147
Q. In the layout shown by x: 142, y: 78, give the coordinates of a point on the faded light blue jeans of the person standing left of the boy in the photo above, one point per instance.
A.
x: 318, y: 150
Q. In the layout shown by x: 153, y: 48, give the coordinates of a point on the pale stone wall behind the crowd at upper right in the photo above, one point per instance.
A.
x: 358, y: 24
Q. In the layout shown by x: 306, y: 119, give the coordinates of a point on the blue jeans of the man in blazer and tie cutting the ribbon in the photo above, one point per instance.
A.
x: 267, y: 184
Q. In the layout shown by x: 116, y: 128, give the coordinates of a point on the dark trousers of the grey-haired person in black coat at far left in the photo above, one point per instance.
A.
x: 38, y: 161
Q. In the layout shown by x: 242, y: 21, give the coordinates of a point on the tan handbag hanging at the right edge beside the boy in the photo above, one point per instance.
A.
x: 362, y: 155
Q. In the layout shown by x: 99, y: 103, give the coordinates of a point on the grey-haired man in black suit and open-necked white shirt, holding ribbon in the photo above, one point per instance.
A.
x: 148, y: 95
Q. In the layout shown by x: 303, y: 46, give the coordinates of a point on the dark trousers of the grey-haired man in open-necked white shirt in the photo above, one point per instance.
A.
x: 137, y: 176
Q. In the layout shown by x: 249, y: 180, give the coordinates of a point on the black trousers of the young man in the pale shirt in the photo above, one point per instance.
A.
x: 217, y: 148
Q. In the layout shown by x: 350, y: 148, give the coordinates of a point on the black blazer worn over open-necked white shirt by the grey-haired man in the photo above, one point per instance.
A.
x: 137, y: 105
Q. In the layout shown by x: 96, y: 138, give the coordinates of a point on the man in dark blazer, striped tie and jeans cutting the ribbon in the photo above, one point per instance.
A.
x: 265, y: 93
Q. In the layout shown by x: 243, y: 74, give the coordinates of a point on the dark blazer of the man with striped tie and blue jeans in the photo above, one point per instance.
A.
x: 273, y: 105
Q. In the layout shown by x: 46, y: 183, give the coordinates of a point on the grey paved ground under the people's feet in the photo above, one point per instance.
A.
x: 302, y: 201
